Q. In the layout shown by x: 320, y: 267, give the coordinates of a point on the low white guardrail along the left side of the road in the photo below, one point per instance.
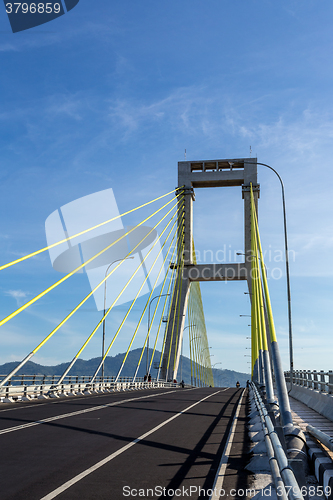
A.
x: 25, y: 387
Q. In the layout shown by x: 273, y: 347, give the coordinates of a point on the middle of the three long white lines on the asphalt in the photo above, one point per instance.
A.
x: 85, y: 473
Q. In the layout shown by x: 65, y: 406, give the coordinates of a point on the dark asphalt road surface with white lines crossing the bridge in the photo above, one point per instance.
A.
x: 158, y: 443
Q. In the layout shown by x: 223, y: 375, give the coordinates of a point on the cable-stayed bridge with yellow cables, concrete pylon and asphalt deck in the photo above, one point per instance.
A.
x: 151, y: 436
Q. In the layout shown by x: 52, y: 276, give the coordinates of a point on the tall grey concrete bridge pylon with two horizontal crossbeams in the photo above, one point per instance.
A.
x: 205, y: 174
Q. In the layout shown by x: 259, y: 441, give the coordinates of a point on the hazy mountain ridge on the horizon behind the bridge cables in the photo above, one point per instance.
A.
x: 222, y: 378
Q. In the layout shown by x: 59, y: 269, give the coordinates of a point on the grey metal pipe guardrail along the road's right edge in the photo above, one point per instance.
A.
x: 277, y: 458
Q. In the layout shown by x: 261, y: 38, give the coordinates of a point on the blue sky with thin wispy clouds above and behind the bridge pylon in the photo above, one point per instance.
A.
x: 111, y: 94
